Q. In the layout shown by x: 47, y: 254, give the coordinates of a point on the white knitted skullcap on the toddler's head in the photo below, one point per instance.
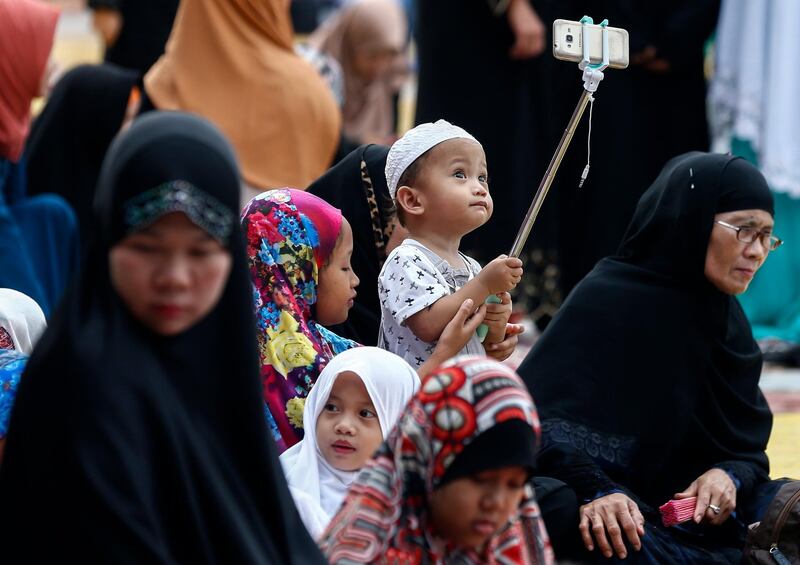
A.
x: 414, y: 143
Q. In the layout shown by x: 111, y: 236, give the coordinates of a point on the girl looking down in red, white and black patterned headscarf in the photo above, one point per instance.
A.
x: 450, y: 483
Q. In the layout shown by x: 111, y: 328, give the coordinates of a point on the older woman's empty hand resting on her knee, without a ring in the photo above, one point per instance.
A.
x: 609, y: 518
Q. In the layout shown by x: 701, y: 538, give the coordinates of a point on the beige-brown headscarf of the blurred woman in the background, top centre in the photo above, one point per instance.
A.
x: 367, y: 25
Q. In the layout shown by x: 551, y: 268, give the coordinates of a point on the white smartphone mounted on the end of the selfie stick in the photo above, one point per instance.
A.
x: 568, y: 43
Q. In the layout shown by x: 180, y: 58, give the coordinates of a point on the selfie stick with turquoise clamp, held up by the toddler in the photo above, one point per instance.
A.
x: 592, y: 75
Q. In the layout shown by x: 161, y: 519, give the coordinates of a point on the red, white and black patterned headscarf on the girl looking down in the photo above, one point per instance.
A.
x: 384, y: 517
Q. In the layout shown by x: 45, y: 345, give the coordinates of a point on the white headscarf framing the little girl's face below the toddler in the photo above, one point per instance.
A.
x: 317, y: 488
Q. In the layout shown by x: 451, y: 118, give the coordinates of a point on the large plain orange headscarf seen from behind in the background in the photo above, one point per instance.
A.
x: 233, y: 62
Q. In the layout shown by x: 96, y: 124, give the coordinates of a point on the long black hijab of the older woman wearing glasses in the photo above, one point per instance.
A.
x: 647, y: 368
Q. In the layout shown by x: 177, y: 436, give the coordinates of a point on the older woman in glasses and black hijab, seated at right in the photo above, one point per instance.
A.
x: 647, y: 378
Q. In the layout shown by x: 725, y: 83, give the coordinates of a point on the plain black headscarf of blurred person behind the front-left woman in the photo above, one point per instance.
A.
x: 70, y: 137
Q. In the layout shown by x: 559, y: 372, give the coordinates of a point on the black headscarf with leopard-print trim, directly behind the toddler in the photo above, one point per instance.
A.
x: 357, y: 186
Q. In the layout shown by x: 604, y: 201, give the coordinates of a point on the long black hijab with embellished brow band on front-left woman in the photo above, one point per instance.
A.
x: 129, y: 447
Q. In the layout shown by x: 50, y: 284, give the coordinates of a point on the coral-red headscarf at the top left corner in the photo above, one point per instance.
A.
x: 27, y: 29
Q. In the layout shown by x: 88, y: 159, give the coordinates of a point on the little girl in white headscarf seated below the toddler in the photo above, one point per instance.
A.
x: 354, y: 404
